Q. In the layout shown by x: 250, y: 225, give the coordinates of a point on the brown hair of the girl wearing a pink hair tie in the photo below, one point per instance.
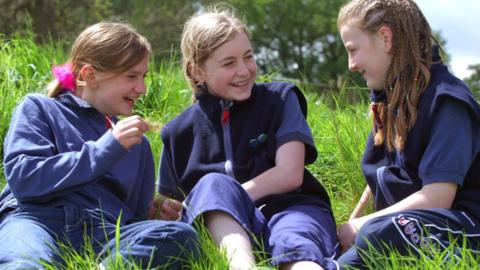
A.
x: 107, y: 47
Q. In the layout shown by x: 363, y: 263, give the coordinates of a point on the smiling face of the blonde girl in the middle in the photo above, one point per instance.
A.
x: 230, y: 71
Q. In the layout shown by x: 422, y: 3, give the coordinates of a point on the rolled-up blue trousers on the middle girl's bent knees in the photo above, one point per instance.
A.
x: 297, y: 233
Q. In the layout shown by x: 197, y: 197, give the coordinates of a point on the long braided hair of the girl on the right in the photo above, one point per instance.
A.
x: 408, y: 74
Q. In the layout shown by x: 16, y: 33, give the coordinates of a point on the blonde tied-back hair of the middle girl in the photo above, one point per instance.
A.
x: 203, y: 33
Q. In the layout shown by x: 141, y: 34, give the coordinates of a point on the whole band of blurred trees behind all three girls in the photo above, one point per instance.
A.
x: 293, y: 39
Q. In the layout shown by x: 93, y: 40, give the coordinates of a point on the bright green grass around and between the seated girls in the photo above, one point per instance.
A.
x: 339, y: 130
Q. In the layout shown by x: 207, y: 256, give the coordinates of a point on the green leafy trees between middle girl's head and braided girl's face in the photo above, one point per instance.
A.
x: 298, y: 39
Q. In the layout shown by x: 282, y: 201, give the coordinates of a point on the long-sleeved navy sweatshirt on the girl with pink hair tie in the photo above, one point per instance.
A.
x: 58, y: 152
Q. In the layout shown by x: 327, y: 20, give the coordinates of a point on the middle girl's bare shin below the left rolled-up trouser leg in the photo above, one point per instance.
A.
x: 231, y: 237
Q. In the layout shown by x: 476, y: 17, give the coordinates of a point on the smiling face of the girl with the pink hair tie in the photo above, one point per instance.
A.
x: 115, y: 94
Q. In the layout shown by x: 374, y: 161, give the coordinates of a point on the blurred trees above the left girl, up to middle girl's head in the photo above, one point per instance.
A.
x: 159, y: 20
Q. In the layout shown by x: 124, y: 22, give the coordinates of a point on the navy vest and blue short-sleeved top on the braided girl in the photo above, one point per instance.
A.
x: 443, y: 146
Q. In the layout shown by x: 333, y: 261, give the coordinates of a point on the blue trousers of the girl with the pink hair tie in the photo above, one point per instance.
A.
x: 33, y: 234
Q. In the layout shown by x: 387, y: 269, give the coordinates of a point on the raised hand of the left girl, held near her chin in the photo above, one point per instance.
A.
x: 129, y: 131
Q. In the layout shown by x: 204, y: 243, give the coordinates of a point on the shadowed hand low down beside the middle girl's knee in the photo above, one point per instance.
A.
x: 165, y: 208
